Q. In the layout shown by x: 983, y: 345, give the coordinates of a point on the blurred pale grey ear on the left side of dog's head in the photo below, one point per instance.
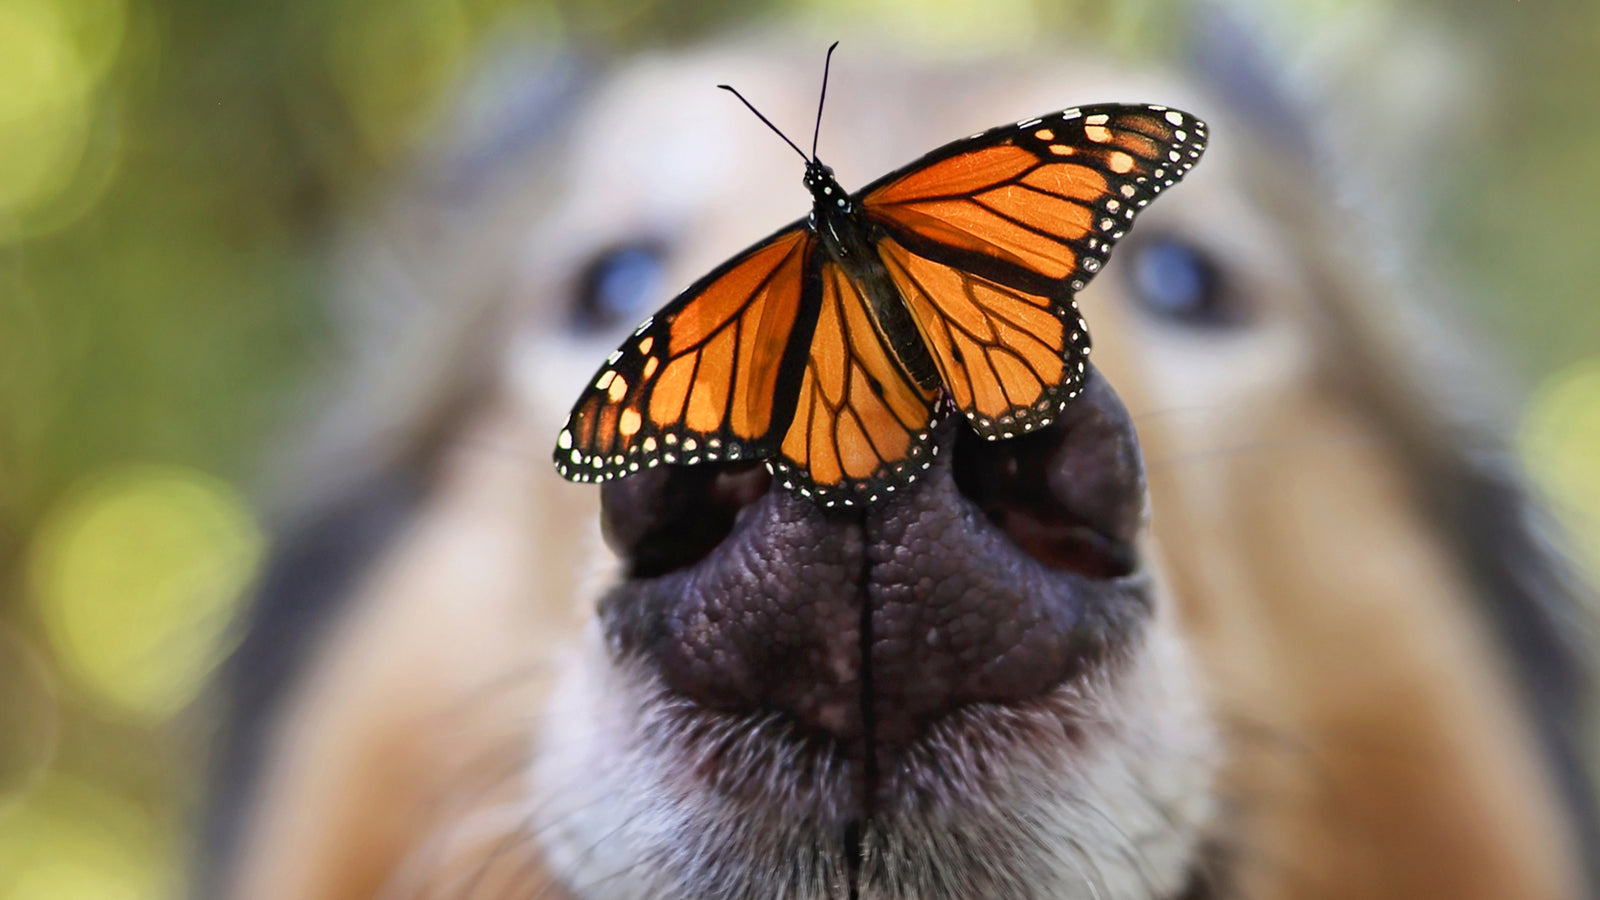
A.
x: 417, y: 291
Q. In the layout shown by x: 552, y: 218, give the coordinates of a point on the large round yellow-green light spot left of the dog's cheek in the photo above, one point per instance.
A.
x: 137, y: 574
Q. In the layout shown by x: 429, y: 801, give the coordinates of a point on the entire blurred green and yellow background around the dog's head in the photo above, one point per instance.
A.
x: 170, y: 177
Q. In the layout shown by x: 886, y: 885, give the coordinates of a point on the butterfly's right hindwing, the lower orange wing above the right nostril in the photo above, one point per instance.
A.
x: 1009, y: 360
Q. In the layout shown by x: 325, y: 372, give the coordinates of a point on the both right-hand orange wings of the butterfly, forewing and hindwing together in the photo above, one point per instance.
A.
x: 990, y: 238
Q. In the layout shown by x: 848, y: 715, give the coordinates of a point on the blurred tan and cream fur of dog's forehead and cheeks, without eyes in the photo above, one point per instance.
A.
x: 1369, y: 741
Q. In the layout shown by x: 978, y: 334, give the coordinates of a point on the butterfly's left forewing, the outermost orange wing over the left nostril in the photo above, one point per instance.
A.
x: 711, y: 377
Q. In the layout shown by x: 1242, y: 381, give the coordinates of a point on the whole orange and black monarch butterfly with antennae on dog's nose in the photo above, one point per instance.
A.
x: 833, y: 348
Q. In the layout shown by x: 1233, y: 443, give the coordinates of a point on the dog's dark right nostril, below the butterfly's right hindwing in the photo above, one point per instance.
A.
x: 1071, y: 496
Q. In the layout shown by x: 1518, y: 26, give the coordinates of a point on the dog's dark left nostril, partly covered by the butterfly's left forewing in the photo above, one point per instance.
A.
x: 674, y: 516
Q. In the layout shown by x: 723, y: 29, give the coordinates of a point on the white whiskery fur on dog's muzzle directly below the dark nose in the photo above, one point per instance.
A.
x: 1100, y: 792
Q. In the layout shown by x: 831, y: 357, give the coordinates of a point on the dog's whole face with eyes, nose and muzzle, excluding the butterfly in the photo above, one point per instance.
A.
x: 1199, y: 638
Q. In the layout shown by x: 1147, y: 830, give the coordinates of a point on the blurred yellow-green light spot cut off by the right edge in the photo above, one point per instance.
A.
x: 1561, y: 446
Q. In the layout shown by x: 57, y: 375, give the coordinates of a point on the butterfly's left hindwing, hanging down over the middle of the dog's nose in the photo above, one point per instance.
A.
x: 862, y: 424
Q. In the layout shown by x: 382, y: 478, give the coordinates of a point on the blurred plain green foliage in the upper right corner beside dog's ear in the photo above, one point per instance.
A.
x: 1519, y: 215
